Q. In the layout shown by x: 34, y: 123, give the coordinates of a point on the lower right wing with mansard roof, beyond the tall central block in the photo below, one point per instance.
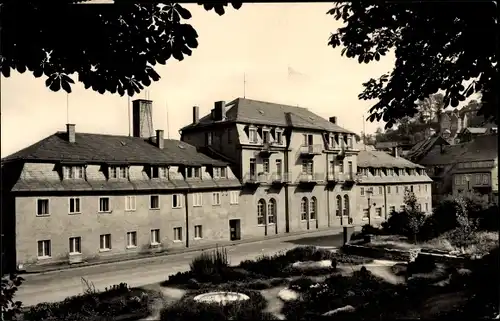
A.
x: 384, y: 181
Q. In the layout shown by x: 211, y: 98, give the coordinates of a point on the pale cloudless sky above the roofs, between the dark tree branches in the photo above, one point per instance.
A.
x: 281, y: 49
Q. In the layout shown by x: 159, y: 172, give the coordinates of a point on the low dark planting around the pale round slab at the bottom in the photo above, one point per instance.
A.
x: 188, y: 309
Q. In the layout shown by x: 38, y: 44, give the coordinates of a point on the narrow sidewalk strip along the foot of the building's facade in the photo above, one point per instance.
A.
x: 36, y: 269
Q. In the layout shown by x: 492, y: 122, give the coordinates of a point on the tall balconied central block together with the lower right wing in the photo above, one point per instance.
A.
x: 307, y: 165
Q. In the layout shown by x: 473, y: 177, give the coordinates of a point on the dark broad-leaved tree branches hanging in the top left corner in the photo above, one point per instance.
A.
x: 112, y: 47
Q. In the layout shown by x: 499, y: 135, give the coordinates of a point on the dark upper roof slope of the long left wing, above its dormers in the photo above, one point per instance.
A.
x: 98, y: 148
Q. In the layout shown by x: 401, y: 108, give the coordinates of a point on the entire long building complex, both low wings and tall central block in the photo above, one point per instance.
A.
x: 248, y: 170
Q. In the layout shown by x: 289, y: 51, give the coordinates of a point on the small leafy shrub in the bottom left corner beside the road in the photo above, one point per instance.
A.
x: 10, y: 308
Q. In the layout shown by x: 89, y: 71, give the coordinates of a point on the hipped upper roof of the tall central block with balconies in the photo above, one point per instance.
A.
x: 242, y: 110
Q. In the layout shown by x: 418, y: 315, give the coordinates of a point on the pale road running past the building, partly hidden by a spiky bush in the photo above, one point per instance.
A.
x: 58, y: 285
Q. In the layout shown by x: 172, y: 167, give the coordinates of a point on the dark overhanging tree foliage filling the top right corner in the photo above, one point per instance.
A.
x: 439, y: 45
